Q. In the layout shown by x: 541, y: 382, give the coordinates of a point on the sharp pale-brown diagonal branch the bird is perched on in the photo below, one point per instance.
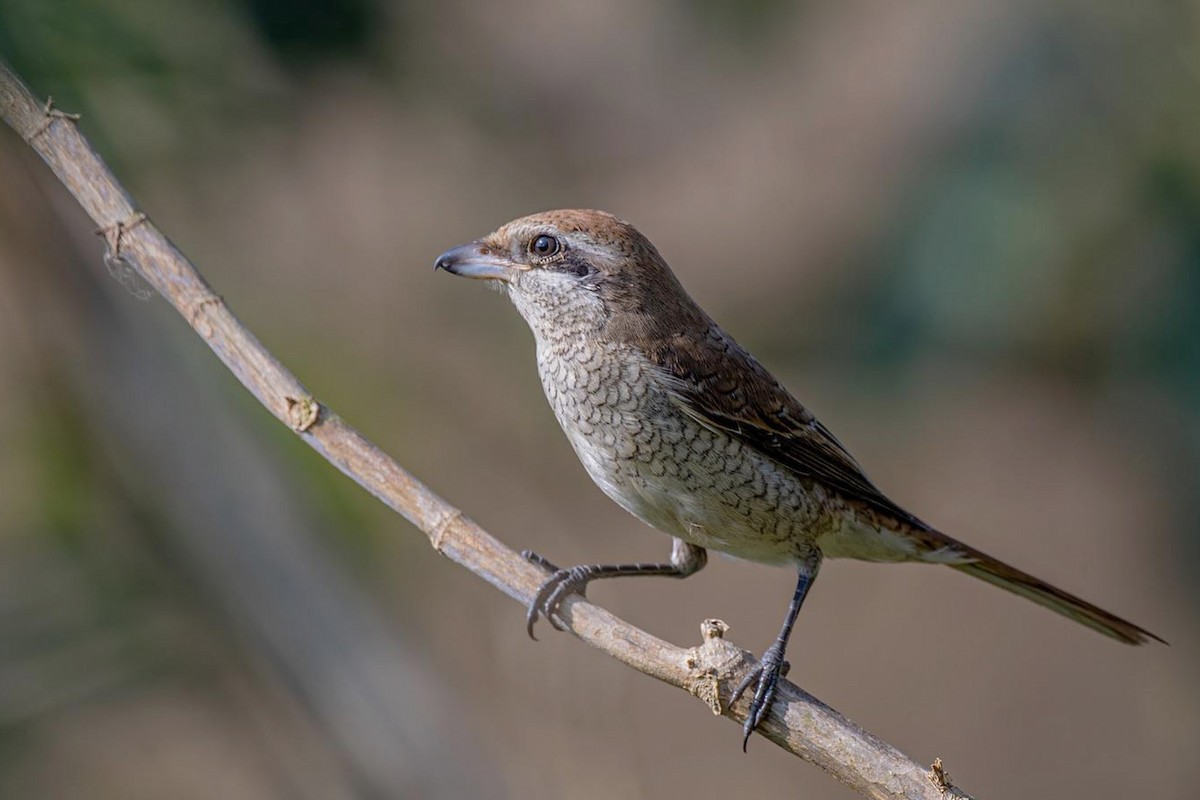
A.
x: 797, y: 723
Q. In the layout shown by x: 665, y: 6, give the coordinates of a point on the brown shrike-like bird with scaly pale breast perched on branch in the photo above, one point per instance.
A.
x: 682, y: 428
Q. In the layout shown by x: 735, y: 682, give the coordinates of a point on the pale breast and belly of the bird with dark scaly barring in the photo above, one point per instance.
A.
x: 697, y: 484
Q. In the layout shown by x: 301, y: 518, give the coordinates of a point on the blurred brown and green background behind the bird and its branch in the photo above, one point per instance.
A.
x: 965, y: 233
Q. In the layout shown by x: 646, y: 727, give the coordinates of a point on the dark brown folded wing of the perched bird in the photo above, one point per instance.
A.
x: 723, y: 388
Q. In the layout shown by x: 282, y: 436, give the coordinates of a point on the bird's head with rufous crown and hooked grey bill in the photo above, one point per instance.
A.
x: 575, y: 272
